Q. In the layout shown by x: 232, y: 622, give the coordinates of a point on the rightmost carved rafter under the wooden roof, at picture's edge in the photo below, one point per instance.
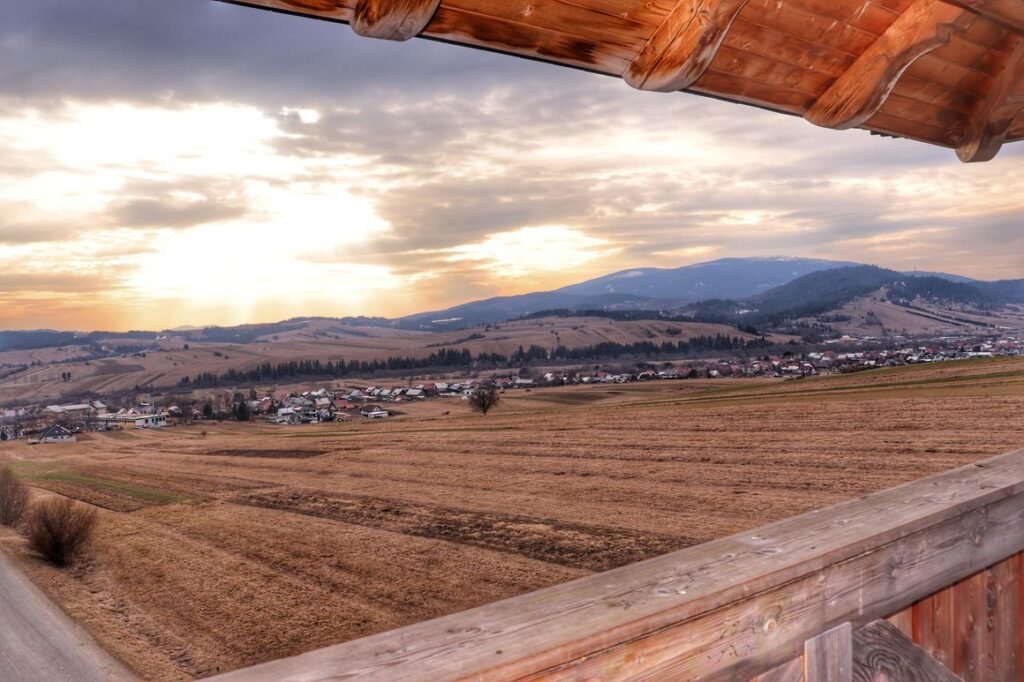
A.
x: 990, y: 125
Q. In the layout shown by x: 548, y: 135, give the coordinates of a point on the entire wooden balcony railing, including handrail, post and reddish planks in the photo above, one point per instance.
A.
x: 801, y: 600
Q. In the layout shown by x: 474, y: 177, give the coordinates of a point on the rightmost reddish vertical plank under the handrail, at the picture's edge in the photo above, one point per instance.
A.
x: 1008, y: 648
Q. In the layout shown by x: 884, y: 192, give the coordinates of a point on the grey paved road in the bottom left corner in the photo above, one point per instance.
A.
x: 39, y: 643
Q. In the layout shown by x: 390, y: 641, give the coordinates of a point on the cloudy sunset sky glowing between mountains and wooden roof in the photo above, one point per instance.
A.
x: 169, y: 163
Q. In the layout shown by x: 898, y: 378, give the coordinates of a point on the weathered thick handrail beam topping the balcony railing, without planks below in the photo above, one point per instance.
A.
x: 727, y: 610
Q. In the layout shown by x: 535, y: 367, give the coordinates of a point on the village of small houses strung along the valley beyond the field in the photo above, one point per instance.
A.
x: 355, y: 401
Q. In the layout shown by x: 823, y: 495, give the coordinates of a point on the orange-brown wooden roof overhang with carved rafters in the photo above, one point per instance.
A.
x: 917, y: 69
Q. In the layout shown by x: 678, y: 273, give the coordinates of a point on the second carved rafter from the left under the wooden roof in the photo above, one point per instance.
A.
x: 685, y: 46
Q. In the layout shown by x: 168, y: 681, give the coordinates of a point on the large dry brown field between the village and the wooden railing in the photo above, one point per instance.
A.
x: 254, y: 542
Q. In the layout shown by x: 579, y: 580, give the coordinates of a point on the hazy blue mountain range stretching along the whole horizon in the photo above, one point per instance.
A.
x: 760, y: 291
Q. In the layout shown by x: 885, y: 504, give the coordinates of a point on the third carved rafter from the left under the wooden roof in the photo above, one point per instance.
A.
x: 861, y: 93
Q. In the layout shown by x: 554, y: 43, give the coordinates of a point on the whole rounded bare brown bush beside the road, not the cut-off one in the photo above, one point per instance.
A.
x: 60, y: 529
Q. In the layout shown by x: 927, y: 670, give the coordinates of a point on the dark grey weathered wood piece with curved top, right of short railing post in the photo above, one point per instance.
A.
x: 882, y: 652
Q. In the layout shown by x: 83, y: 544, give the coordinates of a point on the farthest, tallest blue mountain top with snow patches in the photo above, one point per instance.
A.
x: 728, y: 278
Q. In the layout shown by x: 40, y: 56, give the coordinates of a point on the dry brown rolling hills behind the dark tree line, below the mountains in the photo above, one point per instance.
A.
x: 324, y: 340
